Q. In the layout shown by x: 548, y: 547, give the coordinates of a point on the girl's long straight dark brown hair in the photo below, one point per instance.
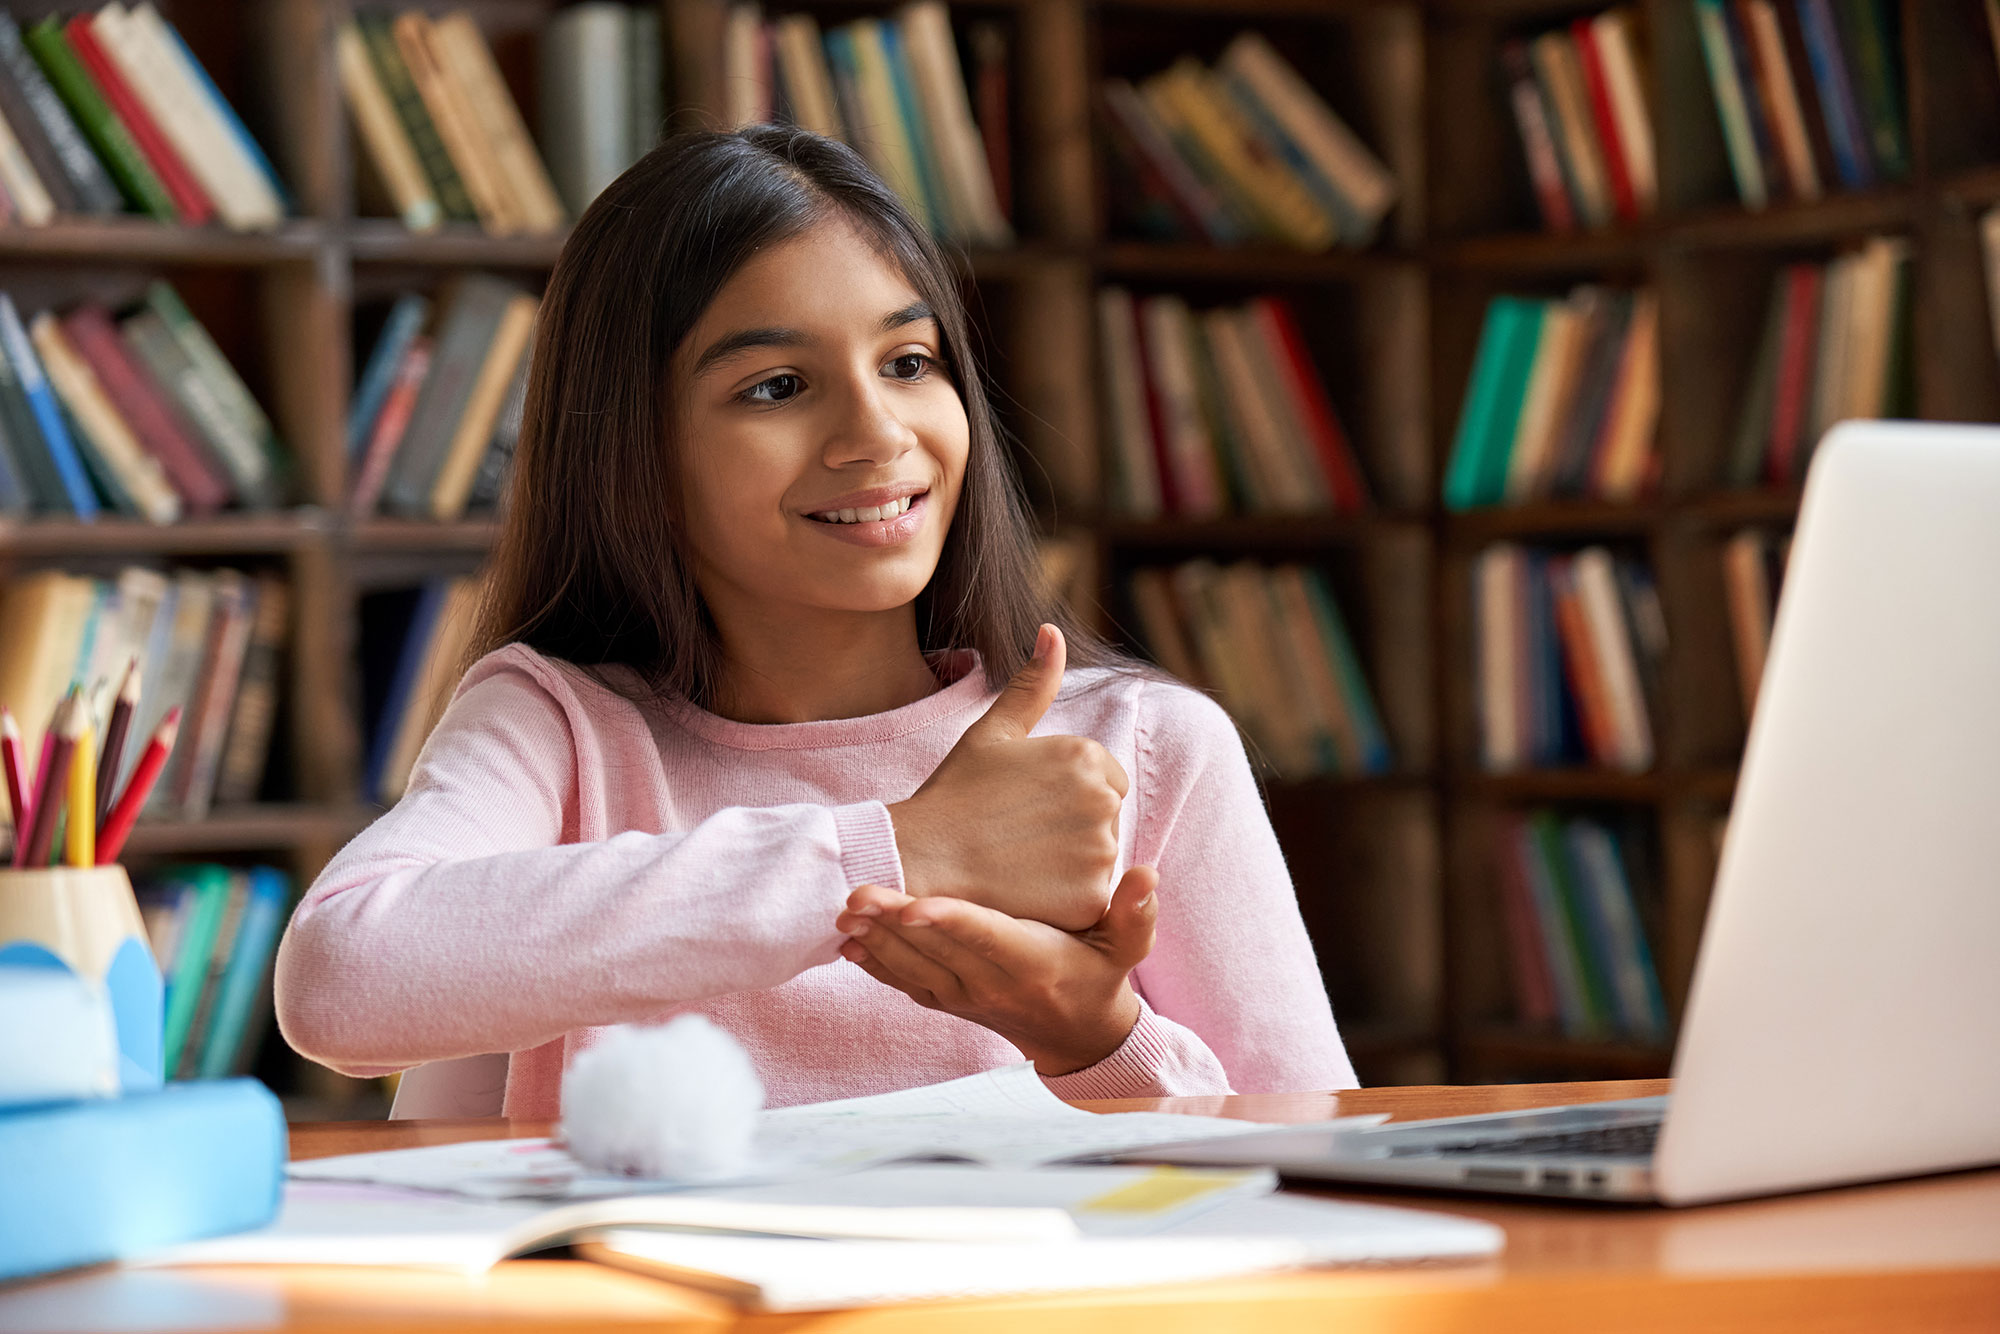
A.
x: 593, y: 565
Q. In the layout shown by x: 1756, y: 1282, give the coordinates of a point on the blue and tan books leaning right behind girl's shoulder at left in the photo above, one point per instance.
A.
x: 413, y: 649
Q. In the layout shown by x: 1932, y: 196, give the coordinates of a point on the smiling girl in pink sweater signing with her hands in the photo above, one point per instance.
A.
x: 751, y: 727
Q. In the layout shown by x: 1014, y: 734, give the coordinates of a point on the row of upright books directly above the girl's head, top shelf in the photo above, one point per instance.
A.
x: 895, y: 89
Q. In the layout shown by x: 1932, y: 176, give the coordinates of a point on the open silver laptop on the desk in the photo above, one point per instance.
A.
x: 1845, y: 1015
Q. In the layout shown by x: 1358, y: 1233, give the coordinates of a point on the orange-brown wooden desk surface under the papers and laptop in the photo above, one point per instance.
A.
x: 1901, y: 1257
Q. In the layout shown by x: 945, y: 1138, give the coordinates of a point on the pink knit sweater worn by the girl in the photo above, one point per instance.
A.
x: 565, y: 861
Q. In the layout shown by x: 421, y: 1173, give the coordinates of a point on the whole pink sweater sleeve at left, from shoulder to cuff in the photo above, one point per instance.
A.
x: 471, y: 919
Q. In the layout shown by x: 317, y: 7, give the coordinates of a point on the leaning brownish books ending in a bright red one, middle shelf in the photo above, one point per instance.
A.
x: 1219, y: 411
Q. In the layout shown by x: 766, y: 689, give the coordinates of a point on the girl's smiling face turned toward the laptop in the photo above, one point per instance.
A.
x: 825, y: 443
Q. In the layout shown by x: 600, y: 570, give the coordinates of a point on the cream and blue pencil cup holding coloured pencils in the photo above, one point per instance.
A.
x: 85, y: 921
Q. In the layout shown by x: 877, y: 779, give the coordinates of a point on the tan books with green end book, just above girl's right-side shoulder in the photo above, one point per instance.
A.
x: 1273, y: 645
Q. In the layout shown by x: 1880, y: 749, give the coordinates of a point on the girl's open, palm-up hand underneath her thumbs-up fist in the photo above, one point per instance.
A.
x: 1065, y: 999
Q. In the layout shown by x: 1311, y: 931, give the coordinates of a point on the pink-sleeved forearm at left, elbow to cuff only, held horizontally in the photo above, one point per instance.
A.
x: 397, y: 957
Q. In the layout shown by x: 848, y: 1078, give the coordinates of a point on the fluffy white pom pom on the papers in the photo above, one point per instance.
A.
x: 679, y: 1101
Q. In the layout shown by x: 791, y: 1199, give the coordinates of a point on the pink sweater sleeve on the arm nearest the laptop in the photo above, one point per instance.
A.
x: 1233, y: 993
